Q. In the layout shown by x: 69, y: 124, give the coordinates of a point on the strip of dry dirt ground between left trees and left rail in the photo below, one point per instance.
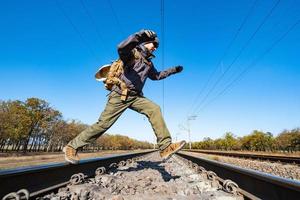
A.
x: 15, y: 160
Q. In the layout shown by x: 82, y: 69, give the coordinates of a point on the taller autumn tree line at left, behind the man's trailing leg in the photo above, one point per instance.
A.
x: 33, y: 125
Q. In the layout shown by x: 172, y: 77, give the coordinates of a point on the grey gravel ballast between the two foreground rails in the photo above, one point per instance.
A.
x: 147, y: 178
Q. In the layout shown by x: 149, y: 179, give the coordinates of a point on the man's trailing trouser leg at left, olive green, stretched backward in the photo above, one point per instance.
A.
x: 113, y: 110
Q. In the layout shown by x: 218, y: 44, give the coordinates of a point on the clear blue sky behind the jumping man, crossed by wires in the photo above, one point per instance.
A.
x: 51, y: 51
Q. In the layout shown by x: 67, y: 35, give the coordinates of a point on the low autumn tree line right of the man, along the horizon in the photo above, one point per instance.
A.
x: 287, y: 140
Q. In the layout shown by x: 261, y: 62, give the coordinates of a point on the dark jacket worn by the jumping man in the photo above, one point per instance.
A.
x: 138, y: 69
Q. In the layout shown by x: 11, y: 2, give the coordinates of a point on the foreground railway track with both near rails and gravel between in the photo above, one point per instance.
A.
x: 138, y: 175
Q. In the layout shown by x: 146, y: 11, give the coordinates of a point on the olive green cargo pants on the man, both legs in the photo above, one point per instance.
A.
x: 113, y: 110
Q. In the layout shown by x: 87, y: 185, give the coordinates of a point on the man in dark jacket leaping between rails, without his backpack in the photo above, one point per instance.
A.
x: 136, y: 53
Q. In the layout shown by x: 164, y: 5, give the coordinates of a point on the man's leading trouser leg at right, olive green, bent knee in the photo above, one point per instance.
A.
x: 153, y: 112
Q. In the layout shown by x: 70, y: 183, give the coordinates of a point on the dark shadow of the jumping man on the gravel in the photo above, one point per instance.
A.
x: 152, y: 165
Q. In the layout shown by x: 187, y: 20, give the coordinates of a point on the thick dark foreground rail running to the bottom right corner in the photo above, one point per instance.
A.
x: 259, y: 184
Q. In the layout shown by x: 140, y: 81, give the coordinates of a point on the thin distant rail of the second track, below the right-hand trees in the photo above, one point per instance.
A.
x: 284, y: 159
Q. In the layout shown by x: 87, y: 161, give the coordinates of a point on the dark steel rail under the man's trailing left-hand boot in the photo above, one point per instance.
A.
x: 42, y: 179
